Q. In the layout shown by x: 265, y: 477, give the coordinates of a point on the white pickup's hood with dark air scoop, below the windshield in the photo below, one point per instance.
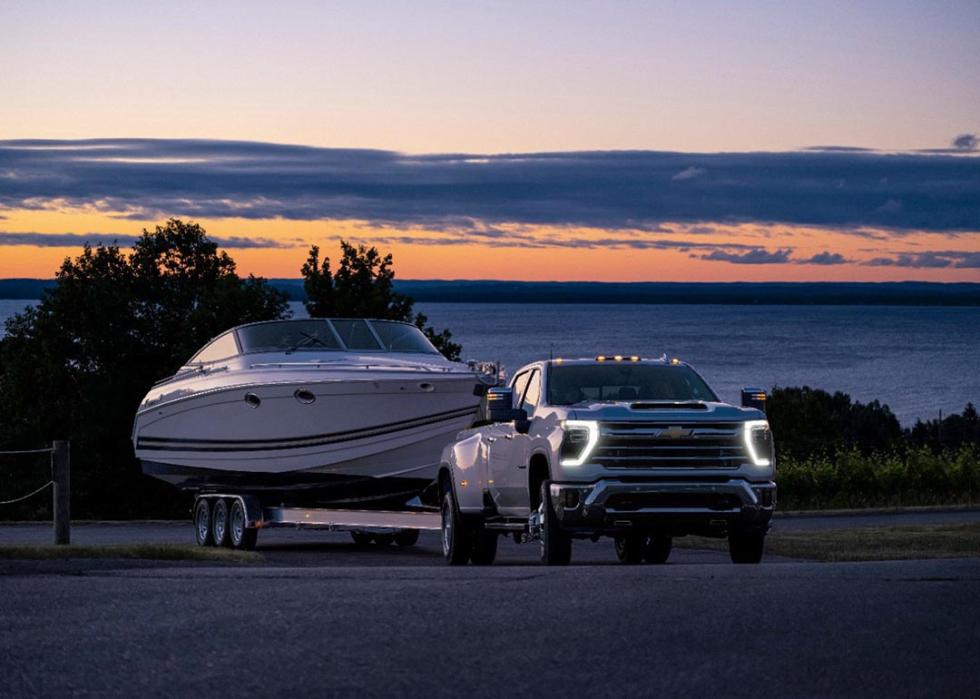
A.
x: 638, y: 411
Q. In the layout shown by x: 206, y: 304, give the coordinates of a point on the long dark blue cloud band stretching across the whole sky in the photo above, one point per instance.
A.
x: 152, y: 179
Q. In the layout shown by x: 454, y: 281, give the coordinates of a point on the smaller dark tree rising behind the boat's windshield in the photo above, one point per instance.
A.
x: 363, y: 287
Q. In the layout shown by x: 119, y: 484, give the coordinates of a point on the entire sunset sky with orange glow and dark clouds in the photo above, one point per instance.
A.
x: 507, y: 140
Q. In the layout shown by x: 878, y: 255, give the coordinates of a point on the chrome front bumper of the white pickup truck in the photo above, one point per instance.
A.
x: 675, y: 506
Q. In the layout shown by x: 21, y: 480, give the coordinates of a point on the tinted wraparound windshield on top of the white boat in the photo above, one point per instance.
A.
x: 340, y: 334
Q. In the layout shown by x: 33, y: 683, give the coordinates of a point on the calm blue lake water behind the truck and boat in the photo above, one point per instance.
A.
x: 918, y: 360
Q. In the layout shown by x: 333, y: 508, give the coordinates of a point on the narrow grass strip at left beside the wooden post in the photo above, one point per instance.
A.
x: 156, y: 552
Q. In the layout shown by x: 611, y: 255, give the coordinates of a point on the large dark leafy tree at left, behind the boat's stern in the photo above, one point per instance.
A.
x: 77, y: 365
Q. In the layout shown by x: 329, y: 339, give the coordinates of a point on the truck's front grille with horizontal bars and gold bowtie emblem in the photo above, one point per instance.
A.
x: 670, y: 445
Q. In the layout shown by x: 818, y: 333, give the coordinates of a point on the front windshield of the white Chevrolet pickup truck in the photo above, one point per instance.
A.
x: 572, y: 384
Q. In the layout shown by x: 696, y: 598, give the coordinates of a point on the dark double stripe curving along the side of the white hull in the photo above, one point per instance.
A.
x: 219, y: 445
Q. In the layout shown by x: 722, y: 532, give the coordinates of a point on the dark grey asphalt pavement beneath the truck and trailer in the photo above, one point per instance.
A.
x: 322, y: 617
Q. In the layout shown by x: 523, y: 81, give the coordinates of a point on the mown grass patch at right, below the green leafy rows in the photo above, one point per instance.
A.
x: 866, y: 543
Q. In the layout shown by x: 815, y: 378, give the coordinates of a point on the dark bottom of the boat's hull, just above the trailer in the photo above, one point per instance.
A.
x: 295, y: 488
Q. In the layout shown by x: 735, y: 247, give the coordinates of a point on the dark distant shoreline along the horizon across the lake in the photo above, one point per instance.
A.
x: 725, y: 293
